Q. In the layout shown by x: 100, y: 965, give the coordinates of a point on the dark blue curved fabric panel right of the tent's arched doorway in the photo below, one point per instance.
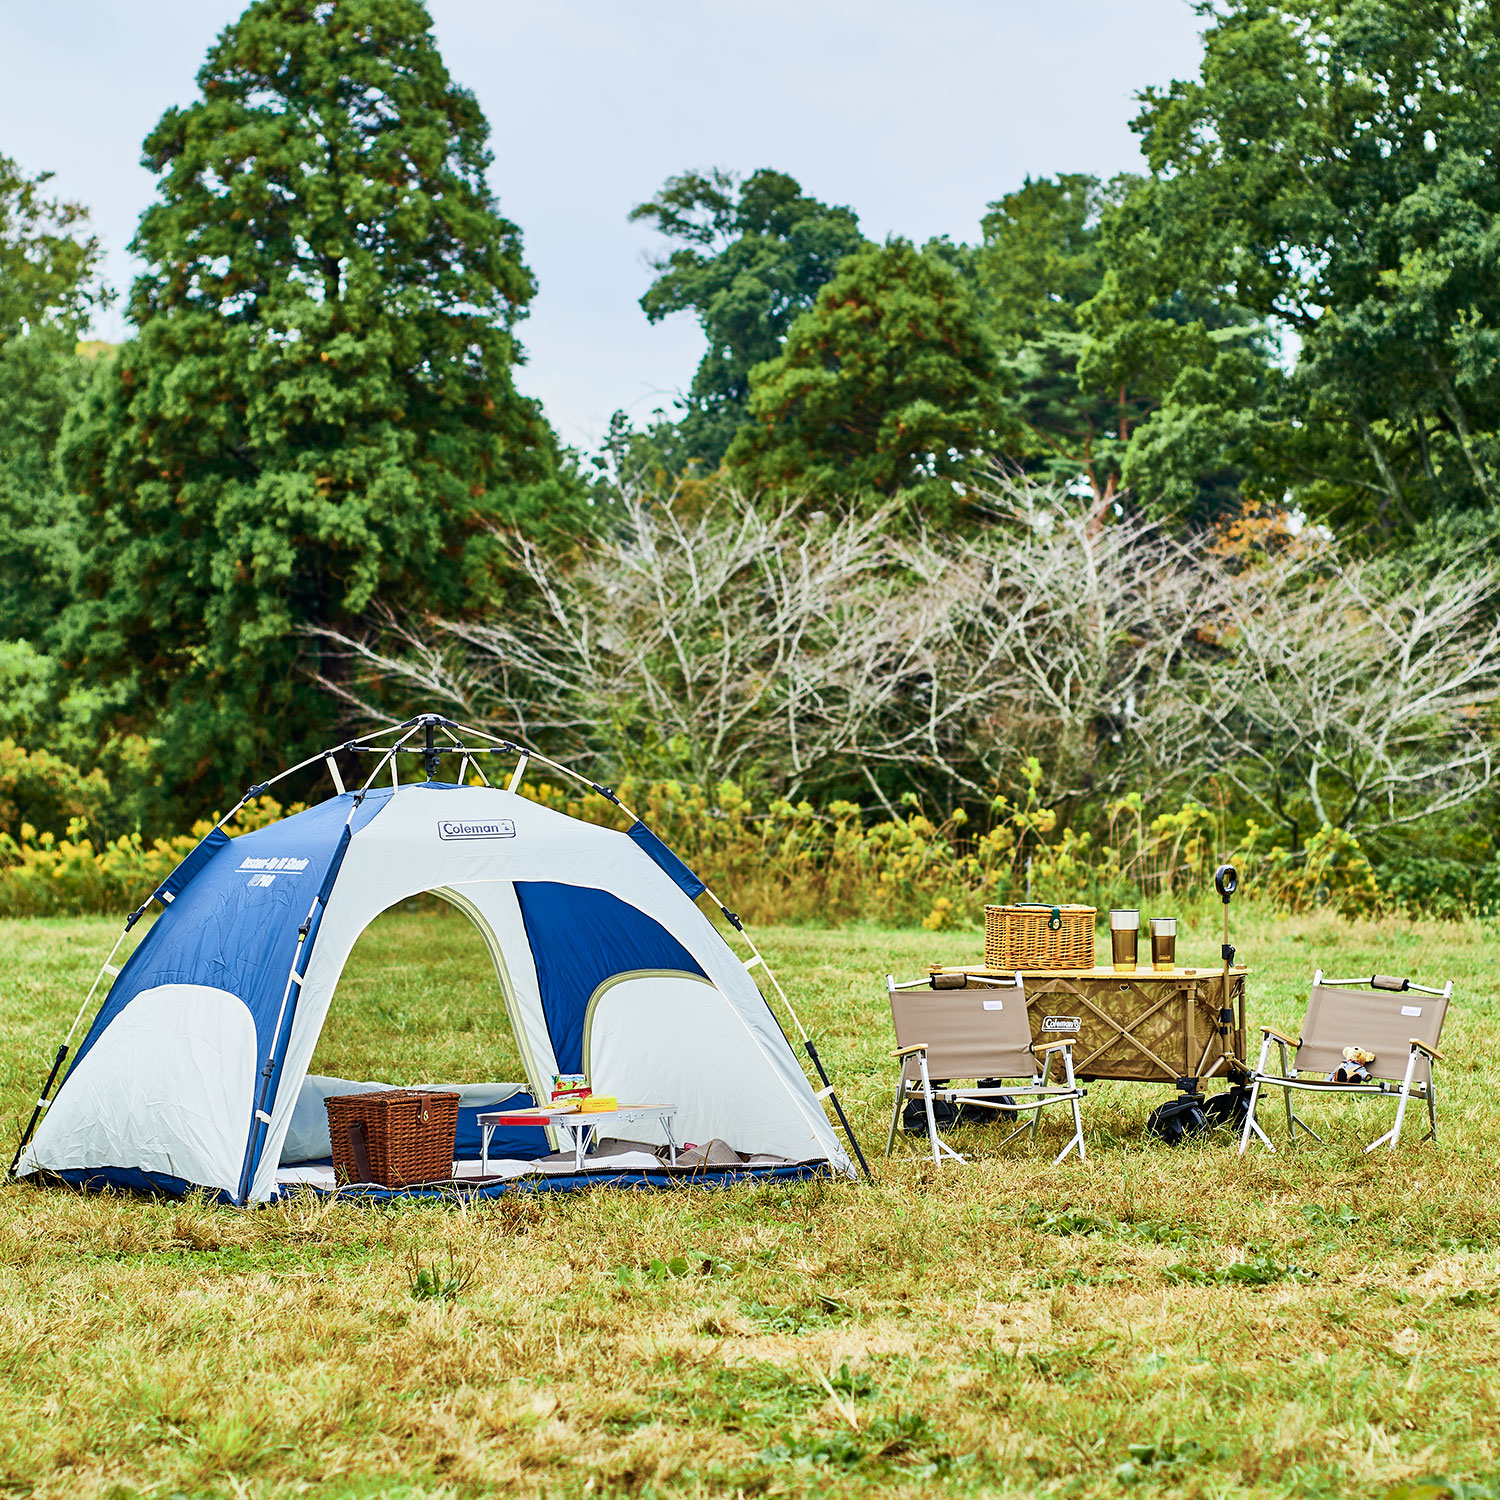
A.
x: 580, y: 938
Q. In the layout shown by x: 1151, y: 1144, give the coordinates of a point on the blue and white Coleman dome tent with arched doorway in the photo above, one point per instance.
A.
x: 193, y: 1067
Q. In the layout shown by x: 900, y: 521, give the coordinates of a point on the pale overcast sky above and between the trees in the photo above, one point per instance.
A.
x: 916, y: 115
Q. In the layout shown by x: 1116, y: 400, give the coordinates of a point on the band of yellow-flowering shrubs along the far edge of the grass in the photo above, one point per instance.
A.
x: 793, y: 862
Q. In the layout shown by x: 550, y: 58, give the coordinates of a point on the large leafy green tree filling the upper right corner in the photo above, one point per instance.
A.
x: 1334, y: 172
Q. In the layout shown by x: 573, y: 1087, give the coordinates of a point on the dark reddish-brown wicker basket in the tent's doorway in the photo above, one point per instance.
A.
x: 394, y: 1138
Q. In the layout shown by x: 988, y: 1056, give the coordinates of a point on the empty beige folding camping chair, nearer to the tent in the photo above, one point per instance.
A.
x: 976, y: 1034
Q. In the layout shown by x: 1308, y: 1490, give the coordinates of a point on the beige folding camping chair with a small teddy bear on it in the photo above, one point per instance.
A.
x: 1402, y: 1033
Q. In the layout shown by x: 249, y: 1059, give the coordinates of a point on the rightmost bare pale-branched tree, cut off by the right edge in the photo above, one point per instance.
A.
x: 1354, y: 698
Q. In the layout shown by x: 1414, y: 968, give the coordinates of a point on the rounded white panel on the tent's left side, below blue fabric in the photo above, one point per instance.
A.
x: 167, y: 1088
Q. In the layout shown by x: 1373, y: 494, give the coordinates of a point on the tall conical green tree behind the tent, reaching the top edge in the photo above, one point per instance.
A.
x: 319, y: 412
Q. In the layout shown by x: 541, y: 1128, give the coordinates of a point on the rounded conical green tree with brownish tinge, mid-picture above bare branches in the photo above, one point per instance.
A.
x: 889, y: 385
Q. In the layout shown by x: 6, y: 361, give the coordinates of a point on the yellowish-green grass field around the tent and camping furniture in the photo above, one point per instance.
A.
x: 1171, y: 1324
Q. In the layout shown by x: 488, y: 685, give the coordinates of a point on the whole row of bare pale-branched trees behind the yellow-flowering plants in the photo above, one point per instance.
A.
x: 797, y: 652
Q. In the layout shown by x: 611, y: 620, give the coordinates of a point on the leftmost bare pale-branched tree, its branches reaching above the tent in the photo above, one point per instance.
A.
x: 746, y: 641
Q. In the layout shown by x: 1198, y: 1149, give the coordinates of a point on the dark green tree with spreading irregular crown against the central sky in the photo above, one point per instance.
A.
x: 751, y: 257
